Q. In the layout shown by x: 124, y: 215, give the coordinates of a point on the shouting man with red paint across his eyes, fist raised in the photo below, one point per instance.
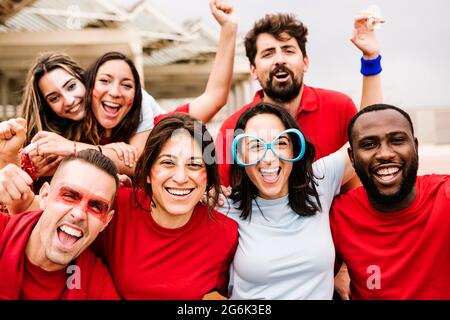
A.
x: 43, y: 253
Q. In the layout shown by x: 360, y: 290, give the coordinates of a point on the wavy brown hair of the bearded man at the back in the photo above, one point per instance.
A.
x: 276, y: 25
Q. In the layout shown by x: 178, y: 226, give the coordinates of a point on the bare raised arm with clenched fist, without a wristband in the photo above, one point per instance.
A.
x: 215, y: 95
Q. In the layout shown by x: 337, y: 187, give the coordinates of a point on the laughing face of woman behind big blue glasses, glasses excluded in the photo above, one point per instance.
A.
x: 270, y: 175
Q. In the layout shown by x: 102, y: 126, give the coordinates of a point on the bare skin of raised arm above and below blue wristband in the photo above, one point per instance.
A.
x: 364, y: 38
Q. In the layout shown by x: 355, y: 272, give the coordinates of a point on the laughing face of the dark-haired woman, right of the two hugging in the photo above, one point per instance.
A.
x: 113, y: 94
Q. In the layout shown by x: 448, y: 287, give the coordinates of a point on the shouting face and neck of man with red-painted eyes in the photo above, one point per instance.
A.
x: 77, y: 207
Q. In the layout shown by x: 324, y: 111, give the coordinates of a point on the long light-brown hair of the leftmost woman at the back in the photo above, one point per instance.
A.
x: 35, y: 109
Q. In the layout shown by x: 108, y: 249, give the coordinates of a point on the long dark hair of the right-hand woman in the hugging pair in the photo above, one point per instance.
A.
x: 93, y: 131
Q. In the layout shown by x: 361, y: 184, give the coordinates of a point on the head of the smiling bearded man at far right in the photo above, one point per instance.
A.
x: 384, y: 154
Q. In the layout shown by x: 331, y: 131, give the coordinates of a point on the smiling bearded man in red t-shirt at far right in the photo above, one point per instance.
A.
x: 394, y: 232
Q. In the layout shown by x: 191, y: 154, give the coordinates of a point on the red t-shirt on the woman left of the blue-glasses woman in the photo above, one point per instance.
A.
x: 148, y: 261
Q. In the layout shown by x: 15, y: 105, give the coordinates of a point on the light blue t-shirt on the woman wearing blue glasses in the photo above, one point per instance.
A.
x: 282, y: 255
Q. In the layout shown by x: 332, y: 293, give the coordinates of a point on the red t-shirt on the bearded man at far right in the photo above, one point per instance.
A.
x: 399, y: 255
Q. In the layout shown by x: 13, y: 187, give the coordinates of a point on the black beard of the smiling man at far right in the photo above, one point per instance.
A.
x: 409, y: 180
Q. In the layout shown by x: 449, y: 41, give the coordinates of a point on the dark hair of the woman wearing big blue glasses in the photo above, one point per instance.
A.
x: 303, y: 195
